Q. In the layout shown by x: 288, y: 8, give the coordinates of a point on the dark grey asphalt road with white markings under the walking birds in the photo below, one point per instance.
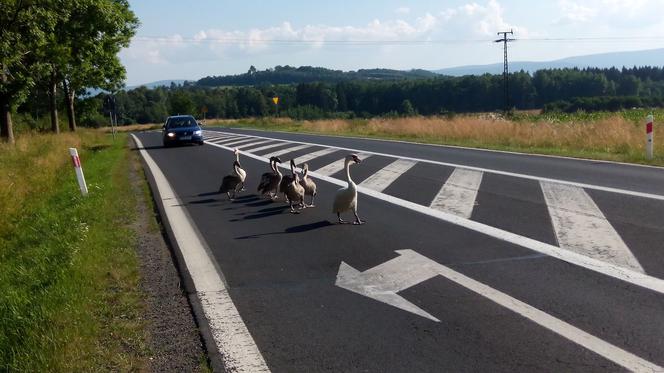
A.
x: 458, y: 298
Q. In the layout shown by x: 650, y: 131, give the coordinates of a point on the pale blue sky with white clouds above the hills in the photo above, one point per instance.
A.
x: 198, y: 38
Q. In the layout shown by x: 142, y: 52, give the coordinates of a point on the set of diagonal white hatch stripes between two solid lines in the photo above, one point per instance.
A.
x: 576, y: 220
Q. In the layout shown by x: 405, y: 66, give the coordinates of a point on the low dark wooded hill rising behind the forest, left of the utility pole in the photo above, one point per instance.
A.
x: 308, y: 74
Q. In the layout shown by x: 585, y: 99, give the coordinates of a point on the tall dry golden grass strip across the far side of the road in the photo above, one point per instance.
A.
x: 603, y: 136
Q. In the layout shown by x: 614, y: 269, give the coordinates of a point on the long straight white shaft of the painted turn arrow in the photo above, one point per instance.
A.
x: 606, y: 350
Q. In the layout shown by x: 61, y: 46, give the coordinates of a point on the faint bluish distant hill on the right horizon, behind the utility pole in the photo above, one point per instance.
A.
x: 652, y: 57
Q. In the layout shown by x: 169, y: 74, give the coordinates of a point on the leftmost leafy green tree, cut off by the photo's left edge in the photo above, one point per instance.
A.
x: 25, y: 25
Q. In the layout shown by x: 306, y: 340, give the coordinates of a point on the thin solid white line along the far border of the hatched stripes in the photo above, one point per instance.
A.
x: 497, y: 172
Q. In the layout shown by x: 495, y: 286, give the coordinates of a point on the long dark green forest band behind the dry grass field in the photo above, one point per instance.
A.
x: 567, y: 90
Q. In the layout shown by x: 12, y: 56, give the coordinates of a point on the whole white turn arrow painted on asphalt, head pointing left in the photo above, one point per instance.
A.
x: 410, y: 268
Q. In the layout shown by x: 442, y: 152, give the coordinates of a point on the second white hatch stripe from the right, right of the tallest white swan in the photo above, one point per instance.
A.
x: 458, y: 194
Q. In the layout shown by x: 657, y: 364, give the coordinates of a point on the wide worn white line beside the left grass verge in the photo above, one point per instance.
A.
x: 236, y: 346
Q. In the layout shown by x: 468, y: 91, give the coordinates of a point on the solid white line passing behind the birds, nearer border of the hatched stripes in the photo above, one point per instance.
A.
x: 623, y: 274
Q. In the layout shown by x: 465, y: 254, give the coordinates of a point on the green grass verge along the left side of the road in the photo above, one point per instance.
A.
x: 69, y: 294
